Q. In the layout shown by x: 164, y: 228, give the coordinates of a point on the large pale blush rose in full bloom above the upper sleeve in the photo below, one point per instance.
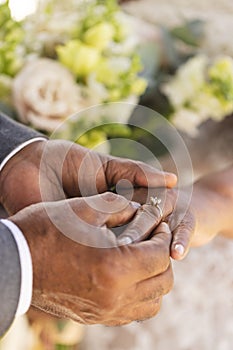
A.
x: 45, y: 93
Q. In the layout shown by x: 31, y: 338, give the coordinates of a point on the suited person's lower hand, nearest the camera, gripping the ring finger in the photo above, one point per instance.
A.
x: 111, y: 286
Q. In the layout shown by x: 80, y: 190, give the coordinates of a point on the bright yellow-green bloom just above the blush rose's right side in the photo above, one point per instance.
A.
x: 80, y: 58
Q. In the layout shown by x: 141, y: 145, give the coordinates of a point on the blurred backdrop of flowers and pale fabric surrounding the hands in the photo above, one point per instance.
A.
x: 59, y: 58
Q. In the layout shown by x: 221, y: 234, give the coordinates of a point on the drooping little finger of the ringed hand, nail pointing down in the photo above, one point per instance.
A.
x: 182, y: 236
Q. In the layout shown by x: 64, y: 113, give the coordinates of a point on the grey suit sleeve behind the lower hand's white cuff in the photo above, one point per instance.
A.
x: 10, y: 278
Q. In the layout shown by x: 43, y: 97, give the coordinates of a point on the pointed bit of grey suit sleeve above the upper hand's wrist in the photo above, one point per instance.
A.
x: 13, y: 134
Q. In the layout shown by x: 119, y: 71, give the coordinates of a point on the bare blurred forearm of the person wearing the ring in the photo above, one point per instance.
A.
x: 212, y: 204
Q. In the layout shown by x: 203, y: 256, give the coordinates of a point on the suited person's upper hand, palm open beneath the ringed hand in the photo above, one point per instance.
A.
x: 61, y: 169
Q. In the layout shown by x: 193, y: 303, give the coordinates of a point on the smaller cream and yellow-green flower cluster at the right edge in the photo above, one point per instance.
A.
x: 200, y: 89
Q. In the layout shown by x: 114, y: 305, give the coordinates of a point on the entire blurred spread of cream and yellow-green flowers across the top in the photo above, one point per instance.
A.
x: 50, y: 71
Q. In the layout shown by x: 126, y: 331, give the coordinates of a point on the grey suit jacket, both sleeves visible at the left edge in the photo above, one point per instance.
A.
x: 12, y: 135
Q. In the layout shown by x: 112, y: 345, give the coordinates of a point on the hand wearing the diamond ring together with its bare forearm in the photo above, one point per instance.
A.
x: 207, y: 213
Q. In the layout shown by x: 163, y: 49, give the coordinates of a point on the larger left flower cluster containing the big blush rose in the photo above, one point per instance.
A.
x: 66, y: 57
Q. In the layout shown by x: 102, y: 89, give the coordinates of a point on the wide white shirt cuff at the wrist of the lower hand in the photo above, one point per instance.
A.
x: 25, y: 296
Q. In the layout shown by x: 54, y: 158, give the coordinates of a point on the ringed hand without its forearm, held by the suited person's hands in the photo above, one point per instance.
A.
x: 175, y: 211
